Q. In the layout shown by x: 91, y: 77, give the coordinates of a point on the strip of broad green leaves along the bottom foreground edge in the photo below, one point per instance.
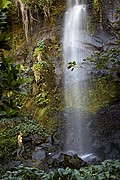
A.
x: 108, y: 169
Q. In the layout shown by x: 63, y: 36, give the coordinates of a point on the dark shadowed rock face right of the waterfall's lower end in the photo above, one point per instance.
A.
x: 105, y: 132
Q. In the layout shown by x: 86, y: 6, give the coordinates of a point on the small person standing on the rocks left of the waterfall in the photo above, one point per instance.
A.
x: 20, y: 144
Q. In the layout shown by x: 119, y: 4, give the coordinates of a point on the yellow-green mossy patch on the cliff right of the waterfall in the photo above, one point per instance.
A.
x: 101, y: 94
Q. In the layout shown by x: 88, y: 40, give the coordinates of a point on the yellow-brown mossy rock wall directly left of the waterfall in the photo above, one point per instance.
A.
x: 43, y: 96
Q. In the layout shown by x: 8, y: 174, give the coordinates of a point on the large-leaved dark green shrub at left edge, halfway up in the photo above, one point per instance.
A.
x: 10, y: 81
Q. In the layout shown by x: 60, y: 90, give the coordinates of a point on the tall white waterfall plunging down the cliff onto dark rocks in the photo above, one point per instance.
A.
x: 76, y: 137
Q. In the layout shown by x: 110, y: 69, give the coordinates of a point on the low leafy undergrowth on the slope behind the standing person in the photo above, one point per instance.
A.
x: 9, y: 131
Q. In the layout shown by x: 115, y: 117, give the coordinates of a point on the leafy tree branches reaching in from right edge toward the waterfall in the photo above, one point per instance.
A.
x: 106, y: 62
